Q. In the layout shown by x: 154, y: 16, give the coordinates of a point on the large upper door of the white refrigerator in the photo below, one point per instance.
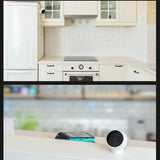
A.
x: 20, y: 35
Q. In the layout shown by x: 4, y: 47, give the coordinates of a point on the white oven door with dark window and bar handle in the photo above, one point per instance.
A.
x: 80, y: 76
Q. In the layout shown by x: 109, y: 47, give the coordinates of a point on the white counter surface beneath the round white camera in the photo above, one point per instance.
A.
x: 39, y: 145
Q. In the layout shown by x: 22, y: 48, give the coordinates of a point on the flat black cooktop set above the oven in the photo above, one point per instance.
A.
x: 80, y: 58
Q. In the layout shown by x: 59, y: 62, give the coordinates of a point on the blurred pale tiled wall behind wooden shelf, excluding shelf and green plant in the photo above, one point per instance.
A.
x: 93, y: 116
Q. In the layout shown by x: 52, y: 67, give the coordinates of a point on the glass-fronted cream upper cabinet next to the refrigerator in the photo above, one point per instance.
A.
x: 53, y: 15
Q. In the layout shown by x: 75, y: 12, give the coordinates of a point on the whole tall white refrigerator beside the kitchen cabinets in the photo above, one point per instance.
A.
x: 23, y: 41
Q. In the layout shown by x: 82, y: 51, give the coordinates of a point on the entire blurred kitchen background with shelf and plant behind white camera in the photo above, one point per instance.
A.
x: 87, y: 108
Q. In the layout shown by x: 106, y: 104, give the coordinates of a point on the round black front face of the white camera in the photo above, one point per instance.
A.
x: 114, y: 138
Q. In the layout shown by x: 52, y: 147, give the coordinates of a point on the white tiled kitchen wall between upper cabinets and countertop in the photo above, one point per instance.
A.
x: 80, y: 37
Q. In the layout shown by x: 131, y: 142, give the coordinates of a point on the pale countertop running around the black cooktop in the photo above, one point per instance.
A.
x: 102, y: 61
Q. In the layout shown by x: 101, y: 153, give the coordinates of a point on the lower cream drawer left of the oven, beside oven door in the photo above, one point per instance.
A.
x: 50, y: 76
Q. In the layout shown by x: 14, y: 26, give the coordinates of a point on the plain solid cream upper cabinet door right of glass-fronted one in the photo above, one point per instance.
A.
x: 127, y: 12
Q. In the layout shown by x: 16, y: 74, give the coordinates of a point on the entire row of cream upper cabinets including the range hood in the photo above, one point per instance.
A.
x: 107, y: 13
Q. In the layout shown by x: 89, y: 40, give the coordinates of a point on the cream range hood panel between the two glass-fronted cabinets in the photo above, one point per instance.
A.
x: 80, y: 9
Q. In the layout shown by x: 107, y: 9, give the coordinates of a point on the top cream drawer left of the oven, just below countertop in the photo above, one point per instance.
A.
x: 50, y: 67
